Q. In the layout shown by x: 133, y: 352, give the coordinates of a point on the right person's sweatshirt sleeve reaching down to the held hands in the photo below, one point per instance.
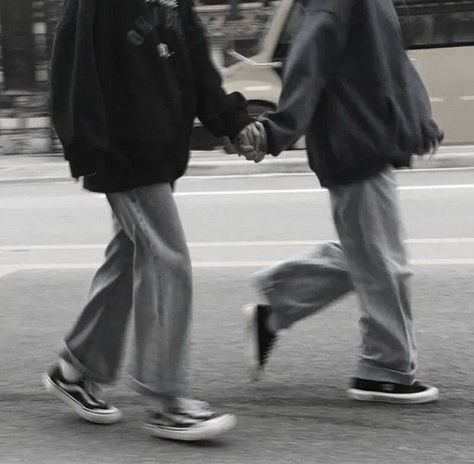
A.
x: 312, y: 57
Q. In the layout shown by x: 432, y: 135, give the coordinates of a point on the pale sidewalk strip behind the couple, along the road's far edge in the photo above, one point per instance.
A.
x: 44, y: 168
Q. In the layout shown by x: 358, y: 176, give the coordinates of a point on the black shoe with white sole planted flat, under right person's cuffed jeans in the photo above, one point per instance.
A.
x: 387, y: 392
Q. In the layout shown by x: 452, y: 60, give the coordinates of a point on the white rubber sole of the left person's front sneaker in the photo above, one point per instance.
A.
x: 207, y: 430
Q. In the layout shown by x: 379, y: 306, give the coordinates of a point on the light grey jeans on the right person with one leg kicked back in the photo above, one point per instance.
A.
x: 370, y: 259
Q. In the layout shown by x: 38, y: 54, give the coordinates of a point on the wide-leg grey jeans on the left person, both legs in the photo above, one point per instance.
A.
x: 147, y: 268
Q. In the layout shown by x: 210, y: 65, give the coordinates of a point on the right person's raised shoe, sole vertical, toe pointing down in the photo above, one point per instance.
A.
x: 260, y: 340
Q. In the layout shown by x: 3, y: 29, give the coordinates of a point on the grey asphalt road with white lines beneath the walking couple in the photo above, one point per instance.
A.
x: 52, y: 237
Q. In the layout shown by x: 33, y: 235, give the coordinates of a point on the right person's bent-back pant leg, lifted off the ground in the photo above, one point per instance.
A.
x: 300, y: 287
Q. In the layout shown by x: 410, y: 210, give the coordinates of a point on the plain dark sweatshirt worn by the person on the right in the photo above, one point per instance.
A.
x: 351, y: 89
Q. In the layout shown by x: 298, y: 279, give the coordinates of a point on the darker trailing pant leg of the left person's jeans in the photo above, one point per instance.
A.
x: 95, y: 344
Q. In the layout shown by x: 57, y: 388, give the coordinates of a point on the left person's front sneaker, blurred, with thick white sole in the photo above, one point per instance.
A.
x: 189, y: 422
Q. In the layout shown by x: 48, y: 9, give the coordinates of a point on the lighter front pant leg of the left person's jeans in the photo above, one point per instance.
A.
x: 162, y: 291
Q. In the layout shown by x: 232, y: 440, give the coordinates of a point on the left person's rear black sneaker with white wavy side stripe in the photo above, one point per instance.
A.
x: 80, y: 397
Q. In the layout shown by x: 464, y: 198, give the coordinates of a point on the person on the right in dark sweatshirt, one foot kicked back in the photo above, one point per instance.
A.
x: 351, y: 89
